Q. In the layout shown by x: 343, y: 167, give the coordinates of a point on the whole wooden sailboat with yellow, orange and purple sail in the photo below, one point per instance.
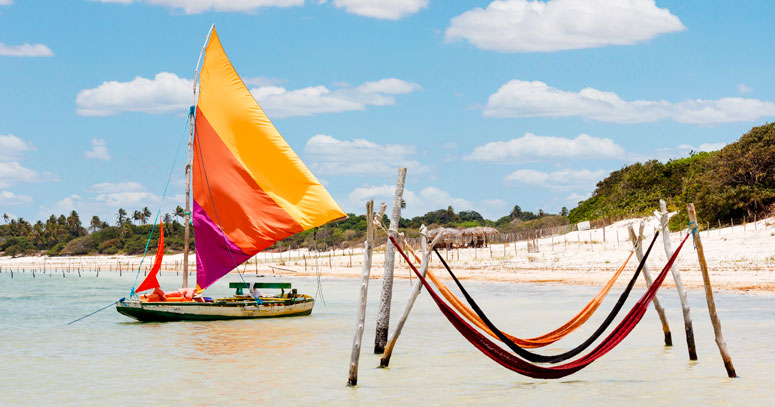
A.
x: 250, y: 190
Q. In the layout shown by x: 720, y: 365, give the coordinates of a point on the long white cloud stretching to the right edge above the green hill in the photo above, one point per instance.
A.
x: 519, y: 98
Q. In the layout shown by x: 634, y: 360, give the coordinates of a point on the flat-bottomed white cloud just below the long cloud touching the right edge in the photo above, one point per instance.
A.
x: 531, y: 147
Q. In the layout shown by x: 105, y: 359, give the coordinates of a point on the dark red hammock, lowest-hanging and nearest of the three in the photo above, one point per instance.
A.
x: 514, y: 363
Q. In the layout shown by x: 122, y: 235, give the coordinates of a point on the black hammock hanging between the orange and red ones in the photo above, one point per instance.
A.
x: 534, y: 357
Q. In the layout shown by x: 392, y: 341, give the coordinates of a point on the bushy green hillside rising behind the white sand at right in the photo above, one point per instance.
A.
x: 735, y: 182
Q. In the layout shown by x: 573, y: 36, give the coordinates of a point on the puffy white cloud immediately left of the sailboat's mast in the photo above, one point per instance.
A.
x: 163, y: 94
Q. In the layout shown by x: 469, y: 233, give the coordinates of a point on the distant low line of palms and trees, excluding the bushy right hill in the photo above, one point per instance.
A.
x: 65, y: 235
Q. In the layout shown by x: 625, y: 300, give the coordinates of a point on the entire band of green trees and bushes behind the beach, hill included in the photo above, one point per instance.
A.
x: 736, y: 181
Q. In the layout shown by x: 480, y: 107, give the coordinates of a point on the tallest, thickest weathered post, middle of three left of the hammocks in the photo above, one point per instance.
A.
x: 383, y: 317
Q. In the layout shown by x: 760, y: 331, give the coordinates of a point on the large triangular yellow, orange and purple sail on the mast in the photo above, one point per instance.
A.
x: 250, y: 187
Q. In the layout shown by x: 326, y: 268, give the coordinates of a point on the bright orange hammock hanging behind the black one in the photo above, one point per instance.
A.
x: 538, y: 341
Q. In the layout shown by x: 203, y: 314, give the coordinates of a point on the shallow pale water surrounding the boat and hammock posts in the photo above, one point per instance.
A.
x: 107, y: 359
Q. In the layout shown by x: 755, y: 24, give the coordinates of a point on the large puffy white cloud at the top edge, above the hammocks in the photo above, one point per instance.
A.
x: 555, y: 25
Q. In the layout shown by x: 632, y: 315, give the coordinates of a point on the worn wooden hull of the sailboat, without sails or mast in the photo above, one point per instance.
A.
x: 219, y: 310
